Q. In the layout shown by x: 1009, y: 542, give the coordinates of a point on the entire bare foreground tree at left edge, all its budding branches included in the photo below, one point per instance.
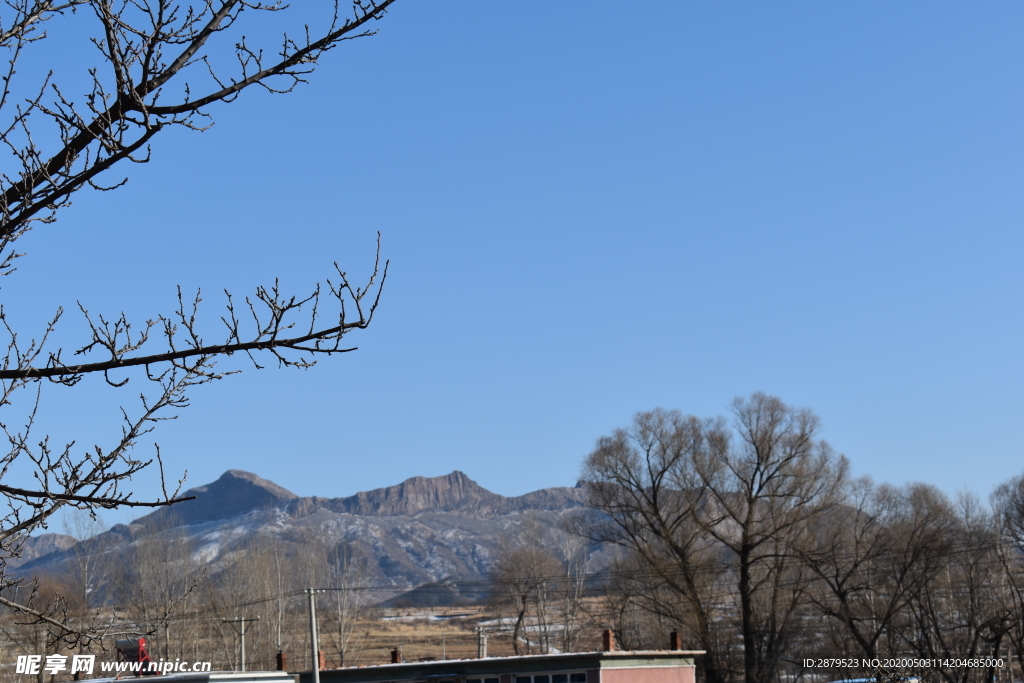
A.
x: 159, y: 65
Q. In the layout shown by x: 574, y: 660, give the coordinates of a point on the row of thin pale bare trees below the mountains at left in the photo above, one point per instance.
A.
x: 162, y: 586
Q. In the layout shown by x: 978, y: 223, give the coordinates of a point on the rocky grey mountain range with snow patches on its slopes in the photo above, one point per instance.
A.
x: 440, y: 532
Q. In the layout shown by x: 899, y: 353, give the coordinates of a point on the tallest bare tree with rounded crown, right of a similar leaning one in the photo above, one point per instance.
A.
x: 758, y: 495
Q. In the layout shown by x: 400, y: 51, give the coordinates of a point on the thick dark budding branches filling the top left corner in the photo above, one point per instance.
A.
x: 125, y: 114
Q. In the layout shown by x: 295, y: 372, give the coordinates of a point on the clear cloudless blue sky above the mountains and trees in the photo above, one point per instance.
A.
x: 593, y: 209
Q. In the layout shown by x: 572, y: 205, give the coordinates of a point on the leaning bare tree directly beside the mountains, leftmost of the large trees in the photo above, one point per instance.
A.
x: 635, y: 481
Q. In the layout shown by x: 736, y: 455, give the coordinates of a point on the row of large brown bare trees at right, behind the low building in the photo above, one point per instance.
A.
x: 749, y: 537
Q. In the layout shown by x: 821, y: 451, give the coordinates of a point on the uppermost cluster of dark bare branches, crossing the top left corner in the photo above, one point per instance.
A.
x: 157, y: 69
